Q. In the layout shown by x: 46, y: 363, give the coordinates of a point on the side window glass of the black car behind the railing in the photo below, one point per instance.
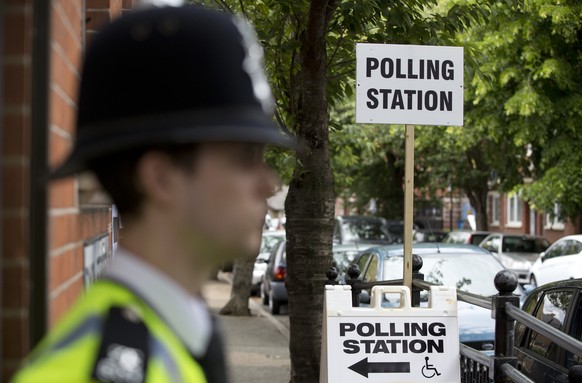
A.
x: 553, y: 311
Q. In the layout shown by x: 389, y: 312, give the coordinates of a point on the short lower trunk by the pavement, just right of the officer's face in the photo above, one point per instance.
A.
x: 241, y: 288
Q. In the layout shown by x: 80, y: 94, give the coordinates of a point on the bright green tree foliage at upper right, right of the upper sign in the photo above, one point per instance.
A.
x: 530, y: 98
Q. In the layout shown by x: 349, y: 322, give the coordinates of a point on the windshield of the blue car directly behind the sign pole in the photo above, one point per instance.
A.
x: 472, y: 272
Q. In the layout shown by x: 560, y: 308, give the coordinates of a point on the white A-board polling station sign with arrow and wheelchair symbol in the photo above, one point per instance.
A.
x: 395, y: 344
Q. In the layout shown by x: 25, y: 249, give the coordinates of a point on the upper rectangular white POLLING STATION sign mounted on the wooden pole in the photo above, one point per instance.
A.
x: 409, y: 84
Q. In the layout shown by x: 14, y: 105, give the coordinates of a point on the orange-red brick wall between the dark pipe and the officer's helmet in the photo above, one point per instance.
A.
x: 65, y: 247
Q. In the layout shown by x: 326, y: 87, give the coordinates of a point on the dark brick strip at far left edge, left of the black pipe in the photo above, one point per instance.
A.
x: 15, y: 160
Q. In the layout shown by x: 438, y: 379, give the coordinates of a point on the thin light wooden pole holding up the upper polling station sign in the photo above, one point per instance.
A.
x: 408, y: 204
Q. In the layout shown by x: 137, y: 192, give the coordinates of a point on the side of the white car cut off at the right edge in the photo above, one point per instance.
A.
x: 562, y: 264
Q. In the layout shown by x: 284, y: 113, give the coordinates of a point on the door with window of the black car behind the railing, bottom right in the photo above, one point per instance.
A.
x: 538, y: 357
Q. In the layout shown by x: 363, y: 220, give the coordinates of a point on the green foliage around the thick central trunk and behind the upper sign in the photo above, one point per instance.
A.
x: 368, y: 161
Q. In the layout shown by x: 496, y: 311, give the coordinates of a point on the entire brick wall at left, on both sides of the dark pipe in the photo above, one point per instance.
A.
x: 71, y: 224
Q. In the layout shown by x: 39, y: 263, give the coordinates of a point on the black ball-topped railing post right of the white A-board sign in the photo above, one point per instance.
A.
x: 505, y: 282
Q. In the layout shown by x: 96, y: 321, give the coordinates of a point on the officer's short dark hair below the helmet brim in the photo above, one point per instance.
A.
x: 117, y: 174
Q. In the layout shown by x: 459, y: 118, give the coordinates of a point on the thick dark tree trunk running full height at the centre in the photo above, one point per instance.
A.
x: 310, y: 204
